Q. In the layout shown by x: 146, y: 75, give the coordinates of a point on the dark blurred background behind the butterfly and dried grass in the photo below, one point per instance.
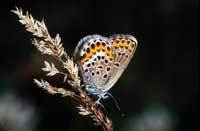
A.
x: 157, y: 92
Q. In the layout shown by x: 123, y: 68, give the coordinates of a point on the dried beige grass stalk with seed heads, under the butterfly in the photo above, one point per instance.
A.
x: 53, y: 47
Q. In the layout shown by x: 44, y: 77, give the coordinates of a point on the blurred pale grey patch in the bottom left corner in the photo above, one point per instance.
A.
x: 15, y: 114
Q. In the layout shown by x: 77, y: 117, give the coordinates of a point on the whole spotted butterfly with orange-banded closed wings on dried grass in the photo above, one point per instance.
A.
x: 102, y: 60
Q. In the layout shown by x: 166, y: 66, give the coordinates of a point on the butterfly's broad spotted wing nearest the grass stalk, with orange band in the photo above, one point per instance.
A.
x: 95, y: 58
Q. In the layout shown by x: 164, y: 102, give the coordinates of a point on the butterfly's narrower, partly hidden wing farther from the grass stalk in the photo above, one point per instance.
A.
x: 123, y: 48
